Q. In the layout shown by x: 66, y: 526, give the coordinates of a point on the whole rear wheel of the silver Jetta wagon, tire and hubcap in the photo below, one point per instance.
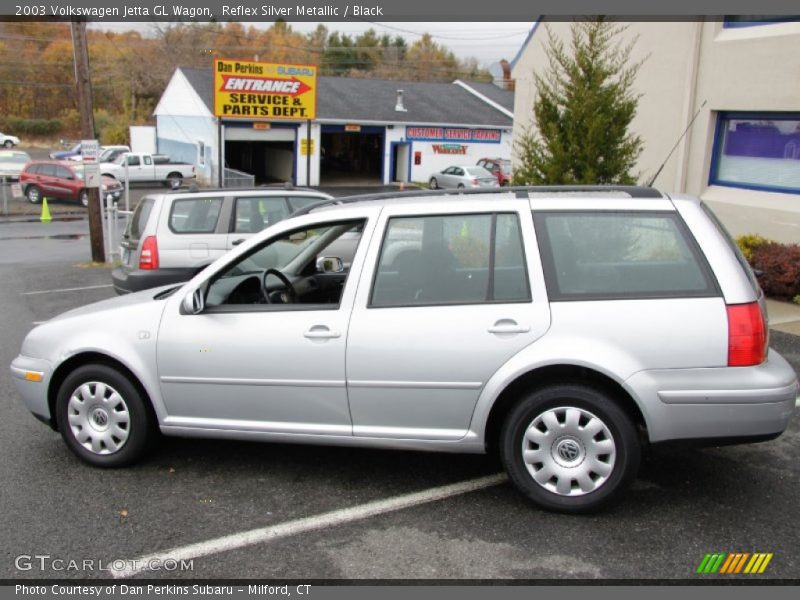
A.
x: 626, y: 453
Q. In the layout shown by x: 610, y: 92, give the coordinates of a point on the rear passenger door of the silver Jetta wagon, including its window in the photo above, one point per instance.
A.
x: 447, y: 297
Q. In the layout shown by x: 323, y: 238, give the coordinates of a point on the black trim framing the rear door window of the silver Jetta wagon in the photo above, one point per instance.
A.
x: 490, y: 288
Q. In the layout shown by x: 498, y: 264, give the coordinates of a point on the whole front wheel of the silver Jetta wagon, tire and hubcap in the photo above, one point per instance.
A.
x: 103, y: 417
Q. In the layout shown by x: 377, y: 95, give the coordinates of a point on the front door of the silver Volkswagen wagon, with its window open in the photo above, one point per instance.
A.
x: 242, y: 365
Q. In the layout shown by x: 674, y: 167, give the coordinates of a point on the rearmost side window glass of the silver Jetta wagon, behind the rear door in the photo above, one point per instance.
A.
x: 620, y: 255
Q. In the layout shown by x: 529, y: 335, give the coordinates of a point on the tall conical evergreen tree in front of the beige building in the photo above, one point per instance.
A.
x: 584, y: 106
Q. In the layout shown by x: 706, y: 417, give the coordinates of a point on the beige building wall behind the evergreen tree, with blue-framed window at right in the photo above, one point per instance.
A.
x: 748, y: 69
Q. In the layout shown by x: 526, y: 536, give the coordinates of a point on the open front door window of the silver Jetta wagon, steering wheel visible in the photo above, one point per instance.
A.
x: 294, y: 255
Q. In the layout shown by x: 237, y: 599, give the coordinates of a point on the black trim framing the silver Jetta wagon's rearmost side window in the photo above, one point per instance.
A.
x: 712, y: 290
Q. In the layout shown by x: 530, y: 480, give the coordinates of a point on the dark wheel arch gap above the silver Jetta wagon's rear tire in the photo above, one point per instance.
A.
x: 546, y: 376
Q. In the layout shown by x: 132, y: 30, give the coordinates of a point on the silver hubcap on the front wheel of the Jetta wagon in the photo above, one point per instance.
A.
x: 99, y: 418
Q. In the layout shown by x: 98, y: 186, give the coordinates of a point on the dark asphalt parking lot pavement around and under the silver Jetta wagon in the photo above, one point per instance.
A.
x: 684, y: 504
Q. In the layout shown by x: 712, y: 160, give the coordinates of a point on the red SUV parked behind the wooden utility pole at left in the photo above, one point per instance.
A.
x: 63, y: 180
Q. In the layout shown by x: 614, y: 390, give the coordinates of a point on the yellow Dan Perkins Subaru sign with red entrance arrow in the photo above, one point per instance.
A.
x: 248, y: 90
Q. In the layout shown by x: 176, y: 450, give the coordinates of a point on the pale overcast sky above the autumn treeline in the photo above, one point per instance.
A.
x: 488, y: 42
